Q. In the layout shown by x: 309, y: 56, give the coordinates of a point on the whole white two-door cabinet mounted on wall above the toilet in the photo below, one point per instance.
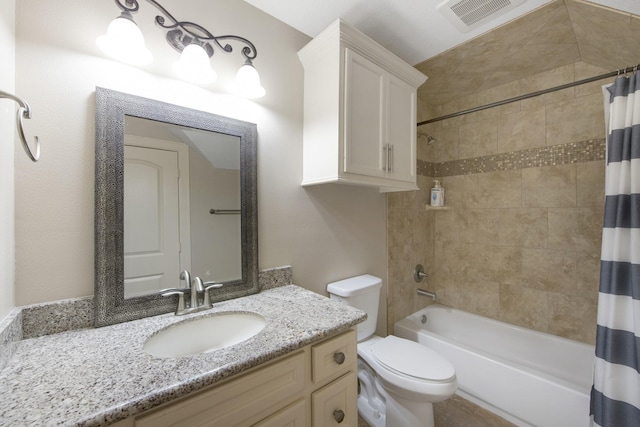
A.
x: 359, y: 112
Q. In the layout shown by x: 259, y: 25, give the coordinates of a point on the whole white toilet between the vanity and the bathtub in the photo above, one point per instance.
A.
x: 399, y: 379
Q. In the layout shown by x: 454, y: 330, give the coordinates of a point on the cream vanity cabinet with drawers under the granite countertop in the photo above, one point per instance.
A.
x: 315, y: 386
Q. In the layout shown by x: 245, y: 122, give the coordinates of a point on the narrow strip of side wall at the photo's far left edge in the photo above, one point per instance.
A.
x: 7, y: 148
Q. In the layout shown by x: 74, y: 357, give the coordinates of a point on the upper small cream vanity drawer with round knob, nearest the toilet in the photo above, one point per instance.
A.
x: 333, y: 357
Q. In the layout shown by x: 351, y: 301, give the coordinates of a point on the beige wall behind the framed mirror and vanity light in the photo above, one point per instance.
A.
x: 326, y: 233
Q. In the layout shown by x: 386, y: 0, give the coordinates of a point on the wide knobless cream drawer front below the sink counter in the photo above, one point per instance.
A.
x: 241, y: 401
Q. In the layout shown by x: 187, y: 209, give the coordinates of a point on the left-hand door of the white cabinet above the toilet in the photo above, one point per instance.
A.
x: 364, y: 135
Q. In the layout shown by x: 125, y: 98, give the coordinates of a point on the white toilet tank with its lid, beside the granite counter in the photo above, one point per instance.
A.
x: 362, y: 292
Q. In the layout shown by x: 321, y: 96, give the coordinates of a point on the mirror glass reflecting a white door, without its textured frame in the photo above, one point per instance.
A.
x: 181, y: 206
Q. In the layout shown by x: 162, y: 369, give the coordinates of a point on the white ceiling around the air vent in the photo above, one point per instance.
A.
x: 412, y: 29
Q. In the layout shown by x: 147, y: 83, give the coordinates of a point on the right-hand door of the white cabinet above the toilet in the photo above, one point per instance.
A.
x: 401, y: 129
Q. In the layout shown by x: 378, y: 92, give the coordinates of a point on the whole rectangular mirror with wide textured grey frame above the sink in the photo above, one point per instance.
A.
x: 152, y: 222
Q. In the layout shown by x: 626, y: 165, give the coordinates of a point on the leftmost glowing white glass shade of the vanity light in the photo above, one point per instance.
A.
x: 124, y: 42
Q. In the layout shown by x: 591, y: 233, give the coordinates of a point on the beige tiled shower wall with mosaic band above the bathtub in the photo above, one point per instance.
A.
x: 522, y: 246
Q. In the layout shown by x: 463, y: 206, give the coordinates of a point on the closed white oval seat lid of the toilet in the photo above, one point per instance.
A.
x: 412, y: 359
